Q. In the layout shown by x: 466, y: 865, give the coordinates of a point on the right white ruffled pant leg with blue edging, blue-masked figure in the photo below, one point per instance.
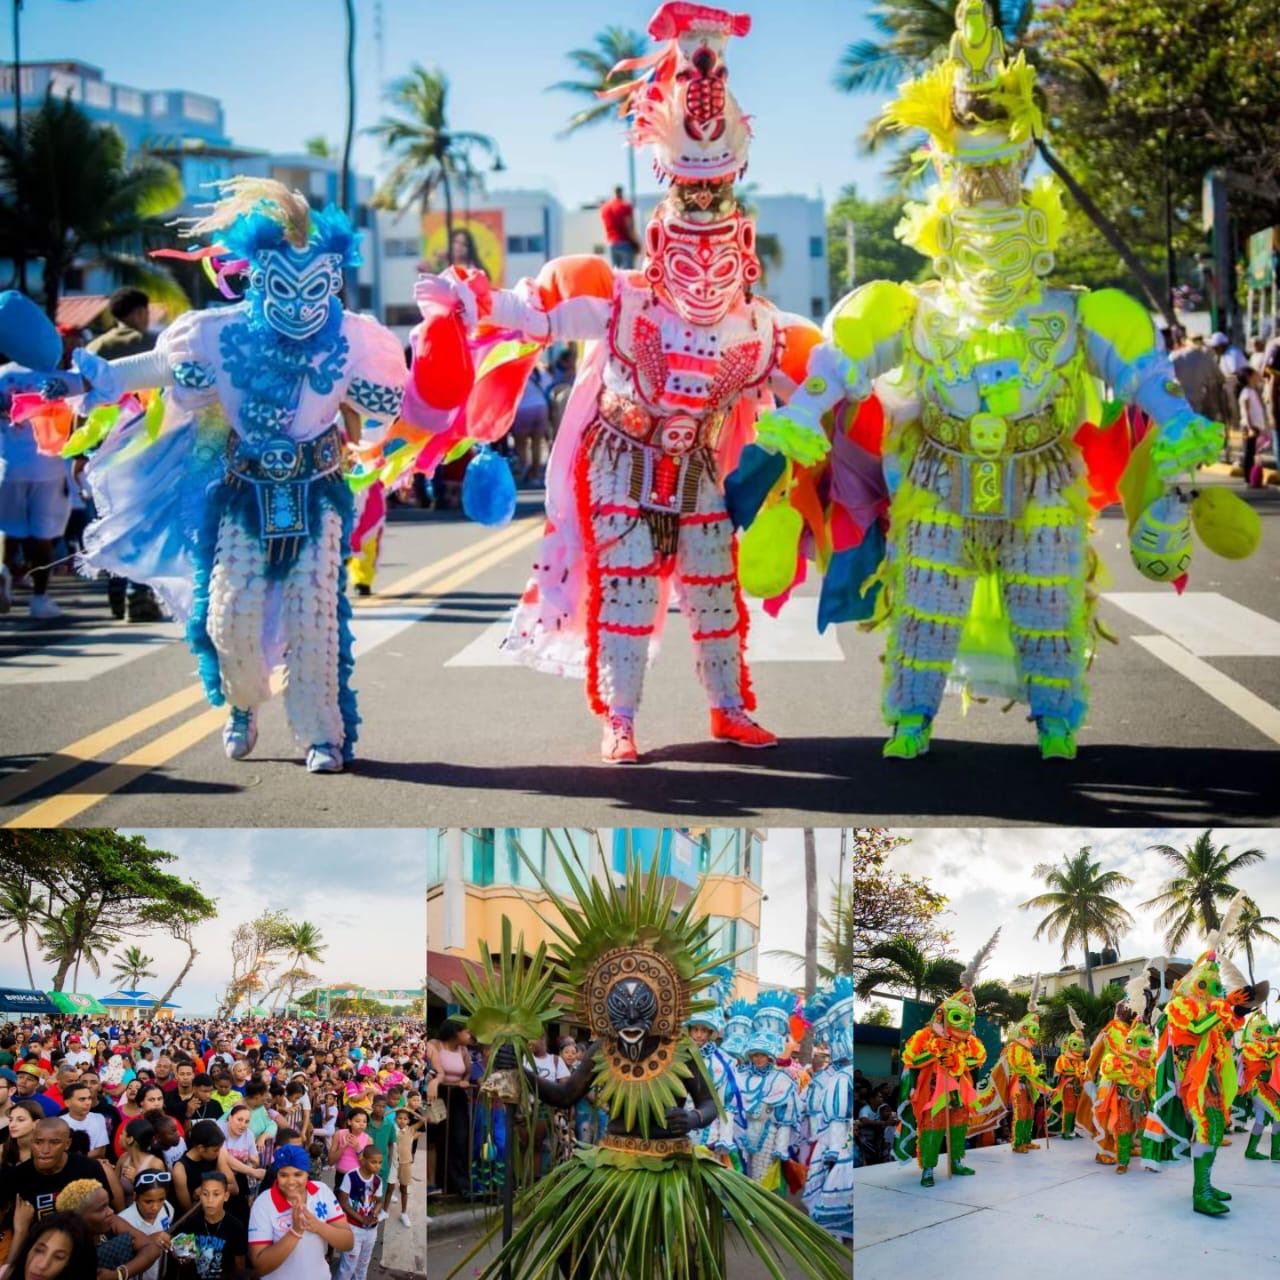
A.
x: 309, y: 618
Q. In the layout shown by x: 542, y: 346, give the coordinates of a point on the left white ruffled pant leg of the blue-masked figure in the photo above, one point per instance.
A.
x: 237, y: 615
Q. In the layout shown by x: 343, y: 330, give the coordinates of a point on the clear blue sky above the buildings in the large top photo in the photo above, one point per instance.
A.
x: 278, y: 68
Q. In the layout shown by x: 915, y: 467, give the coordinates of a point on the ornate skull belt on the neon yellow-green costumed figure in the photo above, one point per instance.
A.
x: 993, y: 464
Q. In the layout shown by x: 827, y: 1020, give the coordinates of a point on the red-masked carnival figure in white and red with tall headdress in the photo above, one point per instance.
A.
x: 682, y: 358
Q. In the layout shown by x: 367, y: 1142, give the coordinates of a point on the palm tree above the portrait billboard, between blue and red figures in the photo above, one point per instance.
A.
x: 428, y: 153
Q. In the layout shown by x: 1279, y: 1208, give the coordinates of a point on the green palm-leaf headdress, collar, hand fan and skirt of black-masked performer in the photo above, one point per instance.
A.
x: 634, y: 1209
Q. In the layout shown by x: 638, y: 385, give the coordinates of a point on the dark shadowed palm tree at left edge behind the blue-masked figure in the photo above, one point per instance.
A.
x: 84, y: 204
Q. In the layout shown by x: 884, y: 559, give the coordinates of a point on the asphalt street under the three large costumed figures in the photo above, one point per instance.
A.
x: 102, y: 724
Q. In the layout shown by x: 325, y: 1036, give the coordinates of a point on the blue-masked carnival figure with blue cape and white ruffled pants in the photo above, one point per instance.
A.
x: 236, y: 510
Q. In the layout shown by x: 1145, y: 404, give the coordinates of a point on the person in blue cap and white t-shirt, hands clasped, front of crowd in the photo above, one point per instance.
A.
x: 294, y: 1223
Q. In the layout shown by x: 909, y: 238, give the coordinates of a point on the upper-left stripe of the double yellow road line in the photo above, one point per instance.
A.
x: 514, y: 538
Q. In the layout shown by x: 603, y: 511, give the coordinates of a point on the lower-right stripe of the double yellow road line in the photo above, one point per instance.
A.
x: 152, y: 756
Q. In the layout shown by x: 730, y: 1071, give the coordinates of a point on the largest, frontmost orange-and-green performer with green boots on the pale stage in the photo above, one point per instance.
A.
x: 1196, y: 1077
